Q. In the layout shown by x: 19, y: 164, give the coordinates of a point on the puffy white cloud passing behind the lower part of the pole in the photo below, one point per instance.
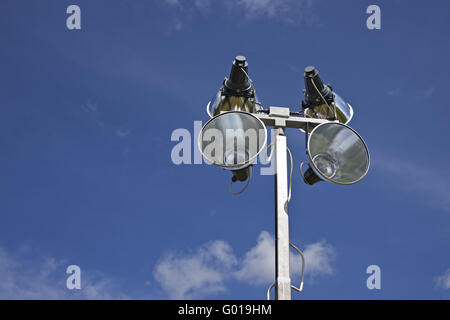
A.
x: 205, y: 272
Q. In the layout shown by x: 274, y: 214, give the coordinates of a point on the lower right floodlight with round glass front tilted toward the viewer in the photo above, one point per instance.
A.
x: 337, y: 153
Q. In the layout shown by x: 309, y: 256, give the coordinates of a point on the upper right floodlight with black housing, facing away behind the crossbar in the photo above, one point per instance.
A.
x: 321, y: 101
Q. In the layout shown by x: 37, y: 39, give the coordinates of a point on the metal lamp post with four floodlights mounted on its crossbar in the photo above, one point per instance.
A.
x: 337, y: 153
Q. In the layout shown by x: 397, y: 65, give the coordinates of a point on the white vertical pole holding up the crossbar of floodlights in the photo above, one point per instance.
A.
x: 283, y: 280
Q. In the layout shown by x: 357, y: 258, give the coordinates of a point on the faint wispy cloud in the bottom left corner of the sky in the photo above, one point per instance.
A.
x: 45, y: 278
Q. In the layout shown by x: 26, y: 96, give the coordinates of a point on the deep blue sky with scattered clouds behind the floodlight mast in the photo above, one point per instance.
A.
x: 86, y: 176
